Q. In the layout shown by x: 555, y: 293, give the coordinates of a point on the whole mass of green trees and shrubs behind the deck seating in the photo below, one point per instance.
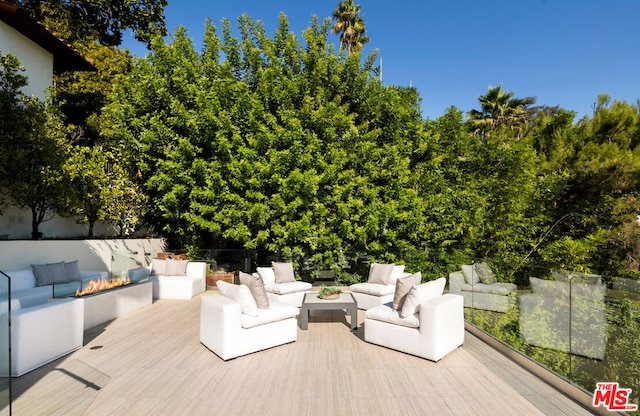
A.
x: 285, y: 144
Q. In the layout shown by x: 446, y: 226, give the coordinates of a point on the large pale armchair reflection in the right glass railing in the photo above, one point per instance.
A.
x: 569, y: 319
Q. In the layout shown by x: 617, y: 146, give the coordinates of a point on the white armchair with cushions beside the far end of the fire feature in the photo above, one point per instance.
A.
x: 177, y: 279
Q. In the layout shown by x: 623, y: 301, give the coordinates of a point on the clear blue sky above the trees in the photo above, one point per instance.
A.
x: 564, y: 52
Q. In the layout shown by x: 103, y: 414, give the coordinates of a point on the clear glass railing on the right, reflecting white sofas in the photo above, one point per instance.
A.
x: 583, y: 327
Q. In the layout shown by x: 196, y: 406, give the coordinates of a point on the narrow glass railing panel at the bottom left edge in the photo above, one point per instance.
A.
x: 5, y: 342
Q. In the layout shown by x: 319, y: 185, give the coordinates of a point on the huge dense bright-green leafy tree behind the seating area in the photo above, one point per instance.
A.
x: 279, y: 145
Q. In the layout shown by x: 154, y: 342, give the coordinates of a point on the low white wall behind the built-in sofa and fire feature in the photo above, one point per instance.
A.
x: 94, y: 255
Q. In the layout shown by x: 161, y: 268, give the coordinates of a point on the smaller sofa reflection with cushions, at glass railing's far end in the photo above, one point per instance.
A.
x: 492, y: 295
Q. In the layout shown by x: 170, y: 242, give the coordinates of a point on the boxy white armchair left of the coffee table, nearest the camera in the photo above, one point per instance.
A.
x: 230, y: 333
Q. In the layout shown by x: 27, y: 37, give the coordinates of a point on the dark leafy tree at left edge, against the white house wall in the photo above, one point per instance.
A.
x: 32, y: 148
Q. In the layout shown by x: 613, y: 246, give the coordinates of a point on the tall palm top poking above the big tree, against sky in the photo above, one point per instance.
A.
x: 350, y: 25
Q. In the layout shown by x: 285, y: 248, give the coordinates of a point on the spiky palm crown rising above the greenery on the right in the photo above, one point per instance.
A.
x: 499, y: 108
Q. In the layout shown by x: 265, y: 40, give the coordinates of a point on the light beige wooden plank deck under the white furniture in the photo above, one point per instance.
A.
x: 151, y: 362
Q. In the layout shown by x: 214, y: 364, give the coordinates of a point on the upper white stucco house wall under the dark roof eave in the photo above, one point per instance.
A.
x: 37, y: 61
